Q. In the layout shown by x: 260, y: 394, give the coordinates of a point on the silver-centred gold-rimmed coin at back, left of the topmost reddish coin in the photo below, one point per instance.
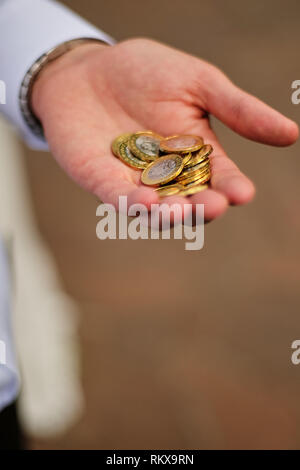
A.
x: 145, y: 145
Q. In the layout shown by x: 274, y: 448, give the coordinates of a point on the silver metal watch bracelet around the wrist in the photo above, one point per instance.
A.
x: 32, y: 75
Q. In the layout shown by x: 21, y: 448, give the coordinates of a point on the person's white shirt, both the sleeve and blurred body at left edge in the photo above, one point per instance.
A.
x: 28, y: 29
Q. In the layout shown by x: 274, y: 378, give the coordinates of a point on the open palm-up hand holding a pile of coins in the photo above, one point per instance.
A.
x: 96, y: 92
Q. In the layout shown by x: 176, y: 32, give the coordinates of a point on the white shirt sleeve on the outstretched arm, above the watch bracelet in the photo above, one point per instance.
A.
x: 28, y: 29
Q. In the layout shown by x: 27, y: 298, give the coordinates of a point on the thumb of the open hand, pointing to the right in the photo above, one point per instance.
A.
x: 244, y: 113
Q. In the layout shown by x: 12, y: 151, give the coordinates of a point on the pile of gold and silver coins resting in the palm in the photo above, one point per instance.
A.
x: 173, y: 165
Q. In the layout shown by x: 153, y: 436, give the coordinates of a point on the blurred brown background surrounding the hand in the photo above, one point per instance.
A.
x: 191, y: 349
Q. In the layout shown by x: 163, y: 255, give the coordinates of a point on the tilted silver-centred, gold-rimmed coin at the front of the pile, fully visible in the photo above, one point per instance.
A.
x: 162, y: 170
